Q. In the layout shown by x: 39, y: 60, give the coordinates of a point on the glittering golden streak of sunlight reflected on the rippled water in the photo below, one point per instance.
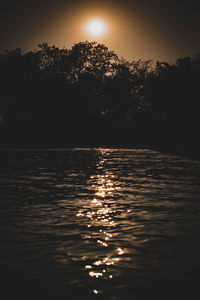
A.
x: 101, y: 220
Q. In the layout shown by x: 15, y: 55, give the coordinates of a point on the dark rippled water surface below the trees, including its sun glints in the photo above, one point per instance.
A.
x: 98, y: 223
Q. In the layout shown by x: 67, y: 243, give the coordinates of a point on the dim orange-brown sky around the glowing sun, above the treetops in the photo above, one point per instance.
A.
x: 159, y: 30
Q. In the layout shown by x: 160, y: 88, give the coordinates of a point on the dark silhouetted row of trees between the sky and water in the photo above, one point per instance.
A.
x: 87, y: 94
